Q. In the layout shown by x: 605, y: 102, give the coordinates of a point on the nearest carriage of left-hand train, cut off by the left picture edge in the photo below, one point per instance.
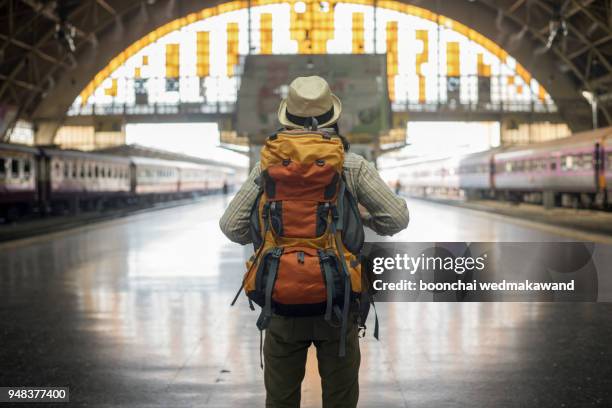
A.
x: 18, y: 193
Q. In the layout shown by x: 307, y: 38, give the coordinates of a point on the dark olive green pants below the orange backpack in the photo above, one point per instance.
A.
x: 285, y: 349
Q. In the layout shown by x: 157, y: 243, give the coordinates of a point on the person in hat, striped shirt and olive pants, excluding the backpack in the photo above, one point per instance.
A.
x: 288, y: 338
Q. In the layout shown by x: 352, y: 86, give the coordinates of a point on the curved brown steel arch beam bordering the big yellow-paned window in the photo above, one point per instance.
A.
x: 478, y: 15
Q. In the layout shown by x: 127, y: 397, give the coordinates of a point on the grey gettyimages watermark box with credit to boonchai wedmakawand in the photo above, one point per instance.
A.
x: 459, y: 271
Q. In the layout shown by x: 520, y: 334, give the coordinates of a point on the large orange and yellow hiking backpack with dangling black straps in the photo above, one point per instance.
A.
x: 307, y: 233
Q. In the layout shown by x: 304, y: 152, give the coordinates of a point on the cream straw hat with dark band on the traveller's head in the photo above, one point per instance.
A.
x: 309, y: 97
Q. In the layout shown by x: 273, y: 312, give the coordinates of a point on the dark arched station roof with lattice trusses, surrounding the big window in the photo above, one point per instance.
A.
x: 52, y: 50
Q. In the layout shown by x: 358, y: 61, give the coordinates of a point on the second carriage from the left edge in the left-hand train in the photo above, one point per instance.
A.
x: 73, y: 180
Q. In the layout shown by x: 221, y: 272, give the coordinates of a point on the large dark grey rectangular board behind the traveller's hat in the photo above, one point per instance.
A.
x: 358, y: 80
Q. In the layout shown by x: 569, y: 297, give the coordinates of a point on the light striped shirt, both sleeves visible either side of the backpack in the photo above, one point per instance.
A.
x: 388, y: 213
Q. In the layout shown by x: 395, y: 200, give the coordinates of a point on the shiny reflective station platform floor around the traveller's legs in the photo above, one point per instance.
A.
x: 135, y: 312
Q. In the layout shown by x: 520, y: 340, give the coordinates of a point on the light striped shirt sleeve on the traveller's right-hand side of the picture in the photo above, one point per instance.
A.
x: 388, y: 211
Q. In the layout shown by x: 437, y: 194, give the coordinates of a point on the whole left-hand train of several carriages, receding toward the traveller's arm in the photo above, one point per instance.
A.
x: 50, y: 180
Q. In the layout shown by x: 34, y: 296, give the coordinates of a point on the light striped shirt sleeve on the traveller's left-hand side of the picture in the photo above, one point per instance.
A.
x: 235, y: 220
